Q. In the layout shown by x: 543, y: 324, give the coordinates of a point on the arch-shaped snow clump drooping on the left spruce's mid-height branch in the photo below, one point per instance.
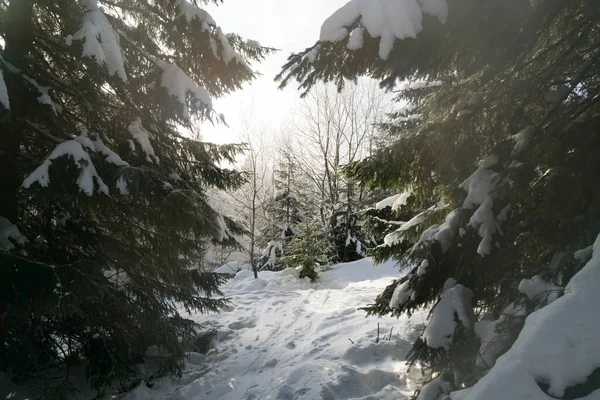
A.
x: 87, y: 175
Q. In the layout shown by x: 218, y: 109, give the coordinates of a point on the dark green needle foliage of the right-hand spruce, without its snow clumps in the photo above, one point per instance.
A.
x: 502, y: 66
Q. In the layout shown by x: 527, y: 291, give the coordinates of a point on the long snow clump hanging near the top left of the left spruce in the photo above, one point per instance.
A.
x: 100, y: 41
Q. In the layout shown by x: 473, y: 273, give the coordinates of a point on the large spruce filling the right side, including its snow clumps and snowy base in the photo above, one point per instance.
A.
x: 498, y: 148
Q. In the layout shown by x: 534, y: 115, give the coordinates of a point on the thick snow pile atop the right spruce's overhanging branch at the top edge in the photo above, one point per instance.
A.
x: 385, y: 19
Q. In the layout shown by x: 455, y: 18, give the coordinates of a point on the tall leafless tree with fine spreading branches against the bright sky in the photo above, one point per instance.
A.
x: 332, y: 129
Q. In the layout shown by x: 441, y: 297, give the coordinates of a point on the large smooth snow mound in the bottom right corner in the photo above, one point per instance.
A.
x: 564, y: 333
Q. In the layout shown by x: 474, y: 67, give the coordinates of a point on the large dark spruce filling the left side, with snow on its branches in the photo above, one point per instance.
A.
x: 103, y: 209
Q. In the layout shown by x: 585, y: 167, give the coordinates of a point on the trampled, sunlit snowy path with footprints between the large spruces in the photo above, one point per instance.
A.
x: 288, y: 339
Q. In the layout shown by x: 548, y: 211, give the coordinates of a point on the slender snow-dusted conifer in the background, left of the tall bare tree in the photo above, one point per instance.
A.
x: 284, y: 214
